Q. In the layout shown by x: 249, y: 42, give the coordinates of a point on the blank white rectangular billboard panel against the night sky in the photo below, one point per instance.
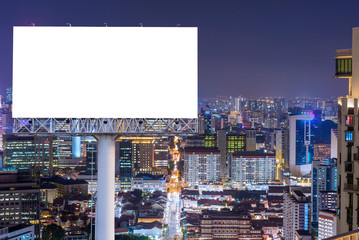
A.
x: 105, y: 72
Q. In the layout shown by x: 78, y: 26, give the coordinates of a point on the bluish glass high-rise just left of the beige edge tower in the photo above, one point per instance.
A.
x: 324, y: 178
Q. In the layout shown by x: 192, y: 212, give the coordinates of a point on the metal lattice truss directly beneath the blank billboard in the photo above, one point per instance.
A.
x: 93, y: 126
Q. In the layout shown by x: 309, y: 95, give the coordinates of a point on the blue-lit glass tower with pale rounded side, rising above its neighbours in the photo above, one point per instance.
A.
x: 300, y: 142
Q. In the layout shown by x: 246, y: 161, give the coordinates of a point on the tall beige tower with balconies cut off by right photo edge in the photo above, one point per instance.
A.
x: 347, y: 66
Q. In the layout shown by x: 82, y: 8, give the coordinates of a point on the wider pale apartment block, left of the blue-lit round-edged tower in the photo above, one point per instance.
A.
x: 253, y: 168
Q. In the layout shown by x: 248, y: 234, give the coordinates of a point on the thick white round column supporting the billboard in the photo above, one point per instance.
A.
x: 105, y: 208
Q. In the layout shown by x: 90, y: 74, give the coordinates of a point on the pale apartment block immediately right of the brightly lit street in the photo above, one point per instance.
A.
x: 201, y: 165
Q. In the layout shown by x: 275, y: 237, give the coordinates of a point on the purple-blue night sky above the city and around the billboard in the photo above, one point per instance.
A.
x: 251, y: 48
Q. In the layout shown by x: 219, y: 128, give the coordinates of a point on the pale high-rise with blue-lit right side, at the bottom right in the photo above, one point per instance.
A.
x: 296, y: 213
